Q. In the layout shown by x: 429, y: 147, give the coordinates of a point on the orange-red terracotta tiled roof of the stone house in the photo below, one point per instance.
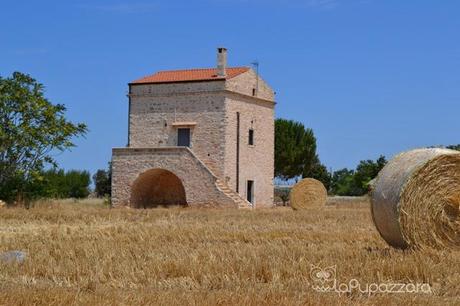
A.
x: 190, y: 75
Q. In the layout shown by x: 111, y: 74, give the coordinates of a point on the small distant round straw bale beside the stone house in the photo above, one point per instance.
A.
x: 308, y: 193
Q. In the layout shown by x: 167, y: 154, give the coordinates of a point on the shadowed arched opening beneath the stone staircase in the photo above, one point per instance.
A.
x: 157, y: 187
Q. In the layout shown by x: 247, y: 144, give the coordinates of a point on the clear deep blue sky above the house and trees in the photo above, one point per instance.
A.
x: 370, y: 77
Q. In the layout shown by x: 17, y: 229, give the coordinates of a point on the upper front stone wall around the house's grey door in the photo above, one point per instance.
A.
x: 152, y: 118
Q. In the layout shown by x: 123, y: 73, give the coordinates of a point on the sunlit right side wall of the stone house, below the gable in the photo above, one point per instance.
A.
x: 256, y: 161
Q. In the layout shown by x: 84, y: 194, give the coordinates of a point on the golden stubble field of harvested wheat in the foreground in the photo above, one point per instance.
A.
x: 88, y: 254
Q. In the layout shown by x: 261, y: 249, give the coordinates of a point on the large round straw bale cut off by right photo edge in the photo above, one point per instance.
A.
x: 416, y: 199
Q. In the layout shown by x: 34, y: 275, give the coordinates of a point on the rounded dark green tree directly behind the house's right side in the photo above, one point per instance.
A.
x: 295, y: 149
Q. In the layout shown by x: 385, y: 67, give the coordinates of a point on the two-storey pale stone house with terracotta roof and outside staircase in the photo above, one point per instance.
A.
x: 197, y: 137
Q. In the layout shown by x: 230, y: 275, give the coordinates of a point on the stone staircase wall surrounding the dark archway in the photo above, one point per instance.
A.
x: 199, y: 182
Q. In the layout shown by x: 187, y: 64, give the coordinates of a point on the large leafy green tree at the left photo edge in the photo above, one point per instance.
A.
x: 31, y: 129
